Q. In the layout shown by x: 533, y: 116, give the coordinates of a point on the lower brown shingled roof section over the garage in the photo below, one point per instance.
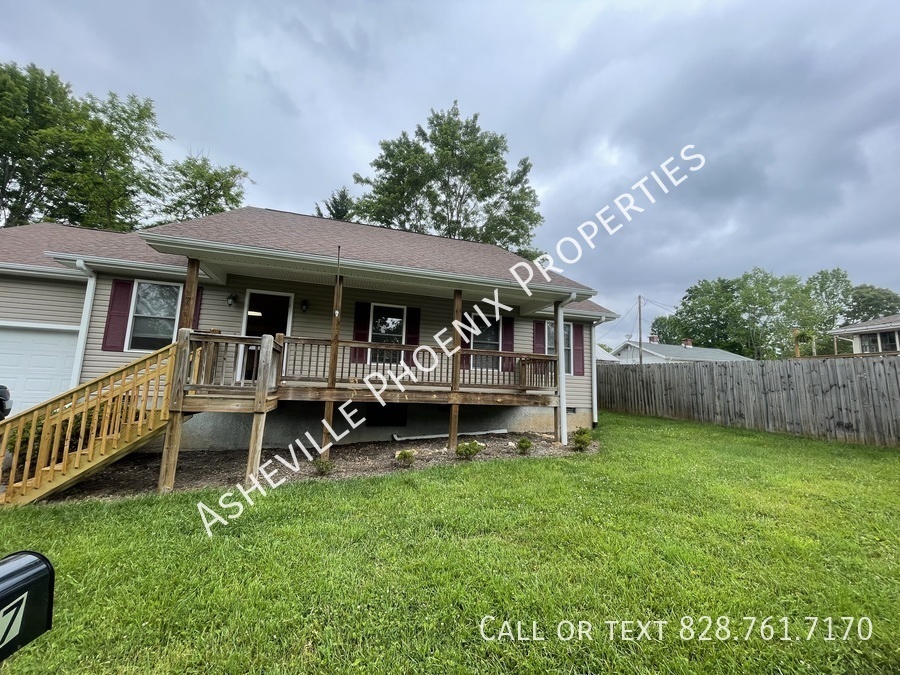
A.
x: 26, y: 244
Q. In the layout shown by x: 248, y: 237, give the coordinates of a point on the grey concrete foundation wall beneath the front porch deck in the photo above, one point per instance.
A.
x: 292, y: 419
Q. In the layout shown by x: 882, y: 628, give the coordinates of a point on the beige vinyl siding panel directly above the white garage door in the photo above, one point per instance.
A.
x: 33, y: 300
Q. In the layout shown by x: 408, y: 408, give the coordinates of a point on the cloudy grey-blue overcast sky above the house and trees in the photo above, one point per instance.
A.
x: 794, y: 105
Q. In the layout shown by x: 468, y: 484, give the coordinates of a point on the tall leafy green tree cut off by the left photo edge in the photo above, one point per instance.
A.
x: 39, y: 118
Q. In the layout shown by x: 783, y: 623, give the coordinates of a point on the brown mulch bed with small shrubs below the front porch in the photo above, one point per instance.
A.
x: 138, y: 473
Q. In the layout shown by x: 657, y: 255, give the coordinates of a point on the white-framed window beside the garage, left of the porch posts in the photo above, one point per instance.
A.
x: 154, y: 312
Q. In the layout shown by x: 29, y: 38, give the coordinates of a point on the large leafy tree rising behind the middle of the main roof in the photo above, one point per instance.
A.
x: 451, y: 178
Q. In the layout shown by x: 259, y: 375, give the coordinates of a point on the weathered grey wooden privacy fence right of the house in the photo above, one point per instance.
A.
x: 851, y: 399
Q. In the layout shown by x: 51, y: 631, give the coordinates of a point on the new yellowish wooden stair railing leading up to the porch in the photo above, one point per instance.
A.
x: 79, y: 429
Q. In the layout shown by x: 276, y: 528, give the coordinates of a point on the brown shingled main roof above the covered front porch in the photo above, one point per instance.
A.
x: 309, y: 235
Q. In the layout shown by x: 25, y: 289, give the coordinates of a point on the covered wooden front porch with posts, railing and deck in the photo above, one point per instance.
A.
x: 251, y: 374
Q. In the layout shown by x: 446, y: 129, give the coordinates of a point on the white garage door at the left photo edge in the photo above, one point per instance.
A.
x: 36, y: 364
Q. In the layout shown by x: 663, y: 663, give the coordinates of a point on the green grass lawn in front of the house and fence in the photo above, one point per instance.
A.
x: 393, y: 574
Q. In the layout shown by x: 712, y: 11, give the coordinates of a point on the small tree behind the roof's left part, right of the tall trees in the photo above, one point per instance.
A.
x: 195, y: 187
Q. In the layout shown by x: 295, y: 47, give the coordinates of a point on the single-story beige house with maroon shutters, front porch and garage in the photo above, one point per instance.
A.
x: 285, y: 316
